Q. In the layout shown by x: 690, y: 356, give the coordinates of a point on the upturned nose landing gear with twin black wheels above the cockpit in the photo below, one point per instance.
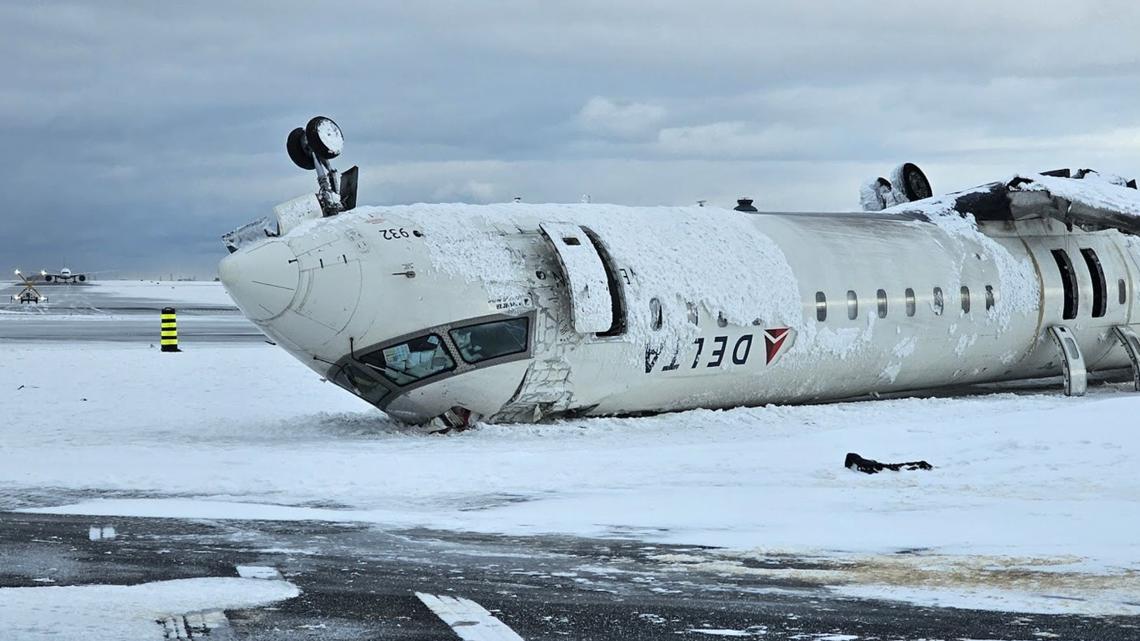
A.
x: 313, y: 149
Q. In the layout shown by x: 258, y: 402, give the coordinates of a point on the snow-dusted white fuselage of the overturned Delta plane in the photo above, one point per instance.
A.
x: 426, y: 310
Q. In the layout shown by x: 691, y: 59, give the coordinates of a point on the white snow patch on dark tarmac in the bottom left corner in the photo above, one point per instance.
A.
x: 126, y: 612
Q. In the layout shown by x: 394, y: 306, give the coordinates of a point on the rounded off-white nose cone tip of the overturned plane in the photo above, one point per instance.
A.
x: 262, y: 279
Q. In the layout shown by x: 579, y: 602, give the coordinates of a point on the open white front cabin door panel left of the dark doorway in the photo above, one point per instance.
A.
x: 588, y: 281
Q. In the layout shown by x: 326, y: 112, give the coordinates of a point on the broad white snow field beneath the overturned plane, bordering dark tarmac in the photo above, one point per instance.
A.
x: 1032, y: 497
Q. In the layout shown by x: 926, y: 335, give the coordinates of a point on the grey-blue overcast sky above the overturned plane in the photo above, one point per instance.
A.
x: 137, y: 134
